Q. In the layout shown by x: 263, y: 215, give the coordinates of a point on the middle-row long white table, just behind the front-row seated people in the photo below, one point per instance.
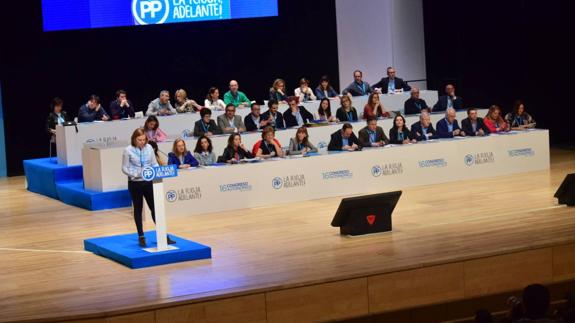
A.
x: 102, y: 162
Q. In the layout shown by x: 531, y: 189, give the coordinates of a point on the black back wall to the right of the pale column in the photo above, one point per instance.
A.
x: 500, y: 51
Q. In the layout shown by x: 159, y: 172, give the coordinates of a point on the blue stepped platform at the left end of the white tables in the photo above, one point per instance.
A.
x: 44, y: 176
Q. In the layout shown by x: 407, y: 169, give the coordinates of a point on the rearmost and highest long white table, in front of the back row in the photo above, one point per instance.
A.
x: 70, y: 140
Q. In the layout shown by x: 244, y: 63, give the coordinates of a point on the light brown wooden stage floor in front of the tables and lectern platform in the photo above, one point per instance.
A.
x: 44, y: 272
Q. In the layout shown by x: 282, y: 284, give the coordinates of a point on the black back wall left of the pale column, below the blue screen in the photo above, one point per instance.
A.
x: 37, y: 66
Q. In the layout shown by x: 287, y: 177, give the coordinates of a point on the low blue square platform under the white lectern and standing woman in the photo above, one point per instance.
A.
x: 126, y: 250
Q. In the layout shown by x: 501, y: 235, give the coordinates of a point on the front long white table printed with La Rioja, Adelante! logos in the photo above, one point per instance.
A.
x: 378, y: 170
